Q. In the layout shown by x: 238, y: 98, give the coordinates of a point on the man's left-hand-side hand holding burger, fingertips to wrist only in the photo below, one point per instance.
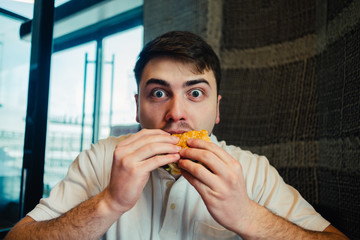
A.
x: 134, y: 159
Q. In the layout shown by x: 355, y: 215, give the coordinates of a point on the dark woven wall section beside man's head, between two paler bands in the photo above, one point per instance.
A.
x: 269, y: 105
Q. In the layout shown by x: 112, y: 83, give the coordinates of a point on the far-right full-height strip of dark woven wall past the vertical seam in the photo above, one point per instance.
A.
x: 338, y: 81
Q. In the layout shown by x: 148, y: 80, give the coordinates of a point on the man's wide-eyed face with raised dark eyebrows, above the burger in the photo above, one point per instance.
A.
x: 174, y: 98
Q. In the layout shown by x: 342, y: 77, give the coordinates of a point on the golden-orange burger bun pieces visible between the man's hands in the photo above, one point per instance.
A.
x: 183, y: 137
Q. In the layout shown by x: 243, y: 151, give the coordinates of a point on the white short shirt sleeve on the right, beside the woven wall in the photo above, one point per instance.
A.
x: 266, y: 187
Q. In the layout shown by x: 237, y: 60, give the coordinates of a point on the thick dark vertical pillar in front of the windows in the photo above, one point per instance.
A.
x: 37, y: 108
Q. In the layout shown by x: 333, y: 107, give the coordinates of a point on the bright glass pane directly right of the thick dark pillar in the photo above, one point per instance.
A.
x: 67, y: 126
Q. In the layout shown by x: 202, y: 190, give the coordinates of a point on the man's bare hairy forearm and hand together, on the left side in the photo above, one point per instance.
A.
x: 133, y: 160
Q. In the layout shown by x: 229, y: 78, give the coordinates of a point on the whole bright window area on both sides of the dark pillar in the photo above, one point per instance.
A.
x: 73, y: 94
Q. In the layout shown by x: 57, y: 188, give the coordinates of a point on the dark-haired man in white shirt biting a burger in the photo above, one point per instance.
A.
x: 119, y: 187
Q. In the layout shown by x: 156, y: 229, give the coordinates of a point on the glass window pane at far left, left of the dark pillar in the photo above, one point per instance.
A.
x: 14, y: 76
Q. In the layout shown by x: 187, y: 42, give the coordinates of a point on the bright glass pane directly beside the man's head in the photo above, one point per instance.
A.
x: 118, y: 108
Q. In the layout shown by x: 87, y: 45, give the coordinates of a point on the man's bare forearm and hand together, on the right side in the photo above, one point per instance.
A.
x: 220, y: 183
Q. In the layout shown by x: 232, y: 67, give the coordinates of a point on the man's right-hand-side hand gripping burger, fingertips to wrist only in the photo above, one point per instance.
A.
x: 221, y: 183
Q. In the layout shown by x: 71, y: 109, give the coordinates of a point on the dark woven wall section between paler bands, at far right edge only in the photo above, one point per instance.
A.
x: 339, y: 84
